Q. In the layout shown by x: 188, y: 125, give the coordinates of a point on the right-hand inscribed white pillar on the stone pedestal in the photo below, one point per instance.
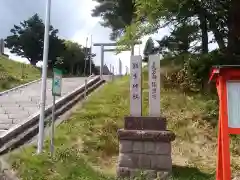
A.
x: 154, y: 85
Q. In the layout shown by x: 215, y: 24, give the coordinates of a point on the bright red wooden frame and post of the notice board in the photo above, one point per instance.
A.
x: 224, y: 74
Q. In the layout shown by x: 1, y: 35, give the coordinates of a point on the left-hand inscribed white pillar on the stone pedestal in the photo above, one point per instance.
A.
x: 136, y: 86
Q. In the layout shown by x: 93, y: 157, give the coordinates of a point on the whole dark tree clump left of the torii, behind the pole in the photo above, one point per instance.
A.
x: 27, y: 41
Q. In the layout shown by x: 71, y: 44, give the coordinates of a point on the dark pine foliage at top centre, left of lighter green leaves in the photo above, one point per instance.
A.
x: 116, y: 14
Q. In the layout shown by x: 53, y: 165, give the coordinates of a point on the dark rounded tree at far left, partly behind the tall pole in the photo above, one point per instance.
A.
x: 28, y: 37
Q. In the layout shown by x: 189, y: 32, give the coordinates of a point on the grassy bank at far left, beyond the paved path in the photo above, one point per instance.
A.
x: 13, y: 73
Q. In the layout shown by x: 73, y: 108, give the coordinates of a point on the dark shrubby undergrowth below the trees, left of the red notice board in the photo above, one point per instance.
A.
x: 193, y: 72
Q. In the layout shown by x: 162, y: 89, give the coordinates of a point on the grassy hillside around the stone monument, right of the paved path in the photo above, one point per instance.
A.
x: 87, y: 146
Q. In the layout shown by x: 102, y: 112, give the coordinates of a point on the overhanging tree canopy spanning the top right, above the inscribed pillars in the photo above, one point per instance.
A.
x: 219, y: 17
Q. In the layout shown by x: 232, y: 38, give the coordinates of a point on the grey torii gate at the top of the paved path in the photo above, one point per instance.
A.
x: 102, y: 45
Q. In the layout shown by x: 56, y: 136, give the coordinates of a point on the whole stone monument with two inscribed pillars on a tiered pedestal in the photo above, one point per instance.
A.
x: 144, y: 142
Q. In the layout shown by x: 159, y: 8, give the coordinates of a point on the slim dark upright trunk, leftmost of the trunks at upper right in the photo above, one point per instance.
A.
x: 204, y: 29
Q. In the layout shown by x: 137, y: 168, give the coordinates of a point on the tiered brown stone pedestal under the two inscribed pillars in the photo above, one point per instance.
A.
x: 145, y: 146
